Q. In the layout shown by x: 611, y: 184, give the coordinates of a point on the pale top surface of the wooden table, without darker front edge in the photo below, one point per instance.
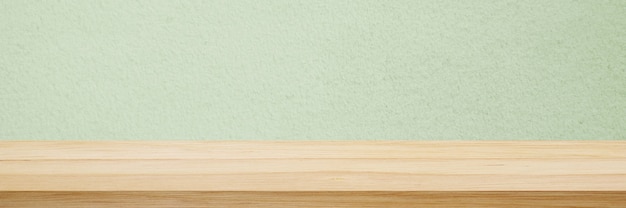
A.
x: 313, y: 166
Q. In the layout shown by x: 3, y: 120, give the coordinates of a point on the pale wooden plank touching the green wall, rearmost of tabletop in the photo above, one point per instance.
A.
x: 98, y: 150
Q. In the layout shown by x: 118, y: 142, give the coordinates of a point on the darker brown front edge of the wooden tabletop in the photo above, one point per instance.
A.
x: 313, y: 199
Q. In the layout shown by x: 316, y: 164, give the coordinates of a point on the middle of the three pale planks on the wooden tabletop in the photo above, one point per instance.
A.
x: 268, y: 166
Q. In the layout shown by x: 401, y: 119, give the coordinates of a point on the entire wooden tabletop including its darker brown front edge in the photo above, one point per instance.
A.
x: 398, y: 174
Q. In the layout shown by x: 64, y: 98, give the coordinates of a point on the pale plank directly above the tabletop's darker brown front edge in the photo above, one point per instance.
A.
x: 312, y: 182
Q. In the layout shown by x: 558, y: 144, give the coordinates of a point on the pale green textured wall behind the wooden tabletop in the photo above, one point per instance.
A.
x: 312, y: 69
